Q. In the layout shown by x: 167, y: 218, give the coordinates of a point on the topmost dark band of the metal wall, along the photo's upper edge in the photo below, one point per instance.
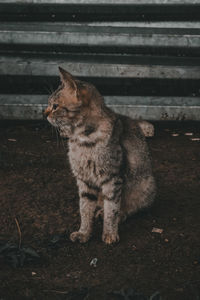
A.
x: 100, y: 10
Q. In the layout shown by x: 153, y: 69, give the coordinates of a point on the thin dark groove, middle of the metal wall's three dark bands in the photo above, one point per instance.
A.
x: 65, y: 50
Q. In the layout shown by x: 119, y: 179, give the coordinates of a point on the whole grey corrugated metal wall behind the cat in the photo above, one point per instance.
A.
x: 143, y: 56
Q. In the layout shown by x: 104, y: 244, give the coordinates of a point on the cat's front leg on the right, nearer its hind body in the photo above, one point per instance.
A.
x: 112, y: 190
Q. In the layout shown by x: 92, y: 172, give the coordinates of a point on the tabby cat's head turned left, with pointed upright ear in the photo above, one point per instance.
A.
x: 69, y: 105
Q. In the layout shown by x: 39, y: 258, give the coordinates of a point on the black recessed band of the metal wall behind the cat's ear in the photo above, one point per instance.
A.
x: 15, y: 84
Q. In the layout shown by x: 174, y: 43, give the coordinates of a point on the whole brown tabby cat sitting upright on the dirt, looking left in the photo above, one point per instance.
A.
x: 108, y: 155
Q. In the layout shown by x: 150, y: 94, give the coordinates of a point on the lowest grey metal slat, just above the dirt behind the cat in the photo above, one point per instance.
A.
x: 132, y: 108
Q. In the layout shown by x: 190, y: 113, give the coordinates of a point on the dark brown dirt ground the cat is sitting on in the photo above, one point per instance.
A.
x: 37, y: 188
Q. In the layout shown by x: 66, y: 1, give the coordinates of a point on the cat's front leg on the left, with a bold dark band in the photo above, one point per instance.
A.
x: 88, y: 201
